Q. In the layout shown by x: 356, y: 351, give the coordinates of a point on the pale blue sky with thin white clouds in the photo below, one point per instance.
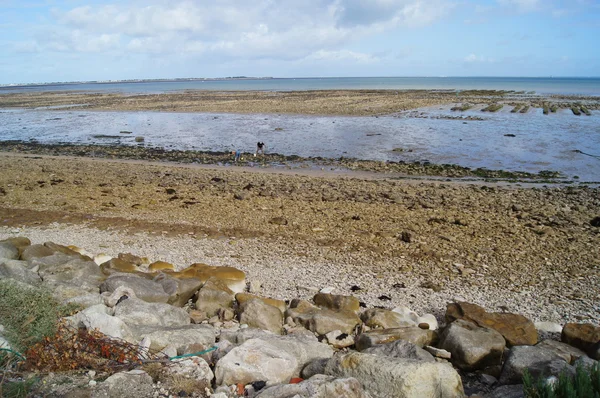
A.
x: 72, y: 40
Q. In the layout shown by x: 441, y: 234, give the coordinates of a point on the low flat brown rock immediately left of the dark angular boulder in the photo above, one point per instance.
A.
x: 415, y: 335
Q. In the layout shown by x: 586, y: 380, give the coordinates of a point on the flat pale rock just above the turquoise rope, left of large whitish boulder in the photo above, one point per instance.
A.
x: 195, y: 336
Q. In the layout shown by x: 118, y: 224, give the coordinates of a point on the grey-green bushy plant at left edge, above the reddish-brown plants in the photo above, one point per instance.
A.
x: 29, y: 314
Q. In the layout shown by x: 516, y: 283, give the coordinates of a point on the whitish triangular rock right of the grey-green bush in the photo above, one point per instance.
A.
x: 99, y: 317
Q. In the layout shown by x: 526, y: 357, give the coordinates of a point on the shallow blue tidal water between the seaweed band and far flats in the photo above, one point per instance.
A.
x: 541, y: 142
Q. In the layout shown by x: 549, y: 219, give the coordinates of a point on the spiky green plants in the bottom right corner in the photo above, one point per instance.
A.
x: 586, y: 383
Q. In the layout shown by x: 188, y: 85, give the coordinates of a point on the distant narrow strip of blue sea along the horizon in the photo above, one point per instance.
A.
x: 540, y: 85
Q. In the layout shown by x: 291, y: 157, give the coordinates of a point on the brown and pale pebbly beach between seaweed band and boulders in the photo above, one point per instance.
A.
x: 534, y: 251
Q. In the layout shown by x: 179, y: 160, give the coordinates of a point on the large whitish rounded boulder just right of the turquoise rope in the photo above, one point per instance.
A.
x: 255, y: 360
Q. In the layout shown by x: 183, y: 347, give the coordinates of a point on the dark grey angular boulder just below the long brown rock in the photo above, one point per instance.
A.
x: 472, y: 347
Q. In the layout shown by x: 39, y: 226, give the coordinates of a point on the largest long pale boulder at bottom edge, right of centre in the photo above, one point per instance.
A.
x: 393, y: 377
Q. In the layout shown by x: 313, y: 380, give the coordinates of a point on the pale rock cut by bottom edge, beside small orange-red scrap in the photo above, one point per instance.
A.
x: 319, y: 386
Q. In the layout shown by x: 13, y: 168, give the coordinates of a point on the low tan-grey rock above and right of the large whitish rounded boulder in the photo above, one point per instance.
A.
x: 322, y: 321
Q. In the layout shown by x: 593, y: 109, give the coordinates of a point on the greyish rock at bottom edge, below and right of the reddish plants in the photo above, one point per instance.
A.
x: 135, y: 383
